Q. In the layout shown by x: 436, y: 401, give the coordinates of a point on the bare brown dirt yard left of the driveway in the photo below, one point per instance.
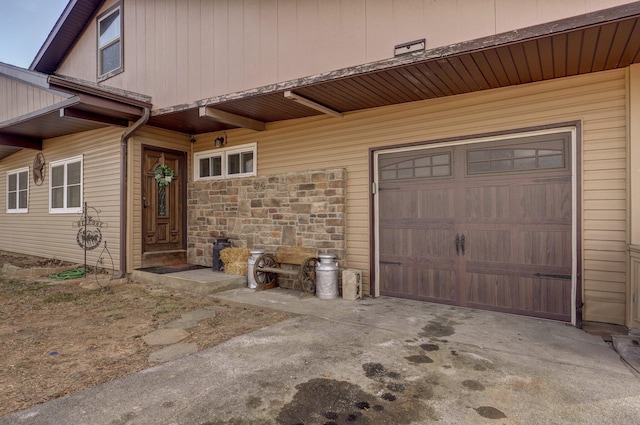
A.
x: 57, y: 337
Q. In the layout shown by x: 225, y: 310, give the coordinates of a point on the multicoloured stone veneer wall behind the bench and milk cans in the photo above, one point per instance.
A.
x: 299, y: 209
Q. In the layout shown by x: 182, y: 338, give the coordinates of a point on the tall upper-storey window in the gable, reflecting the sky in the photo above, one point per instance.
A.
x: 110, y: 43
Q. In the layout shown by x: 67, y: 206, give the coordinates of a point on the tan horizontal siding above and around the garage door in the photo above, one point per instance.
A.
x: 598, y: 100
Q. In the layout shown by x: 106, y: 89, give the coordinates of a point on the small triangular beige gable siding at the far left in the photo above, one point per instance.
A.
x: 18, y: 99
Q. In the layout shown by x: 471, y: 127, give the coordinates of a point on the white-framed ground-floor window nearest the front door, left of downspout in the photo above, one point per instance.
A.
x: 65, y: 185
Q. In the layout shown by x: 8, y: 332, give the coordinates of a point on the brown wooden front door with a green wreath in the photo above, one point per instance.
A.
x: 163, y: 206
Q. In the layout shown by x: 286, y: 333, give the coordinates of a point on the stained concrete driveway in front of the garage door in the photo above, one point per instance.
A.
x: 373, y: 361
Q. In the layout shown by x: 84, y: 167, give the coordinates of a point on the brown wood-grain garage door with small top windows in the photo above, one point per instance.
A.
x: 484, y: 225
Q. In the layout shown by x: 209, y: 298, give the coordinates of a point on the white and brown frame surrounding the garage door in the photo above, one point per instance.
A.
x: 574, y: 127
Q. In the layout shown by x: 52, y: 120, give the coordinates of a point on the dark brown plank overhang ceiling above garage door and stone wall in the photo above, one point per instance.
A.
x: 594, y: 42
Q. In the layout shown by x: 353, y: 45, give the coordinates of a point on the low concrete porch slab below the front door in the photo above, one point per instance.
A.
x: 201, y: 281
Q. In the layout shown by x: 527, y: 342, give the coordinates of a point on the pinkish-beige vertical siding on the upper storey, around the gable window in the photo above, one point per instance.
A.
x: 179, y: 51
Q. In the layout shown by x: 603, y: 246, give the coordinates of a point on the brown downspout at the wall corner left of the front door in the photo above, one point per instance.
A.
x: 124, y: 186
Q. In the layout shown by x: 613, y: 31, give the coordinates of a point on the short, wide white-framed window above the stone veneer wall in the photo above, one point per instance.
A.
x: 220, y: 163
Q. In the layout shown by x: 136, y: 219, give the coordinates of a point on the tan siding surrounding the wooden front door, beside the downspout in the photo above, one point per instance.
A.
x: 148, y: 136
